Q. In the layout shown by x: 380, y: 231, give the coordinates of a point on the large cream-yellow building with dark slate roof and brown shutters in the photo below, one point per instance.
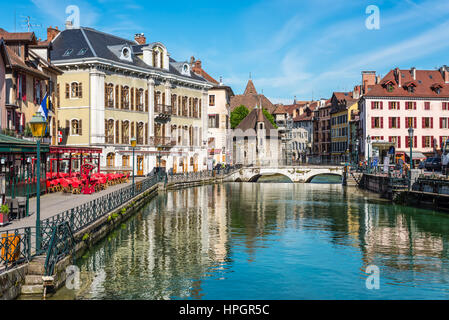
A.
x: 114, y: 89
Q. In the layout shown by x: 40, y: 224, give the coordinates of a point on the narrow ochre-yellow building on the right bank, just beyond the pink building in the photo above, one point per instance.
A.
x: 343, y: 104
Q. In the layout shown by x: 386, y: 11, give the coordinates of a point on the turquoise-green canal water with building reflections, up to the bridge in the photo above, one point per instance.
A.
x: 270, y: 241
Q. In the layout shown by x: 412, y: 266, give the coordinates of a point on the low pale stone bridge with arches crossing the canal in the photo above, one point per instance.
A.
x: 295, y: 174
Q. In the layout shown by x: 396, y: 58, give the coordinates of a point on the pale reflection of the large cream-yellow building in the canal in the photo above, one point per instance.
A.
x: 168, y: 248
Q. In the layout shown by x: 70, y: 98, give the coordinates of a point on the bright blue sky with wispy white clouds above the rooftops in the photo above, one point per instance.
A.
x: 303, y: 48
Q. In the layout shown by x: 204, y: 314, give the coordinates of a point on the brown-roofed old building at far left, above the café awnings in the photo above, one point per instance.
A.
x: 29, y: 76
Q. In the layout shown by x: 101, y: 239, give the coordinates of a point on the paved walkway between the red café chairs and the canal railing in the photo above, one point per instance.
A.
x: 55, y: 203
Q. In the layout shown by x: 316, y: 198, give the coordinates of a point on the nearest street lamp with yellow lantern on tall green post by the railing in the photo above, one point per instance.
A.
x: 38, y: 125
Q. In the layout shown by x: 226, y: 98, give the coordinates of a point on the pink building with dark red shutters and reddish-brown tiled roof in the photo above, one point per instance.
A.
x: 403, y: 99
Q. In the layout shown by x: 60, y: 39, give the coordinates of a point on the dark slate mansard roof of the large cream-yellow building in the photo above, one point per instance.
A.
x: 88, y: 43
